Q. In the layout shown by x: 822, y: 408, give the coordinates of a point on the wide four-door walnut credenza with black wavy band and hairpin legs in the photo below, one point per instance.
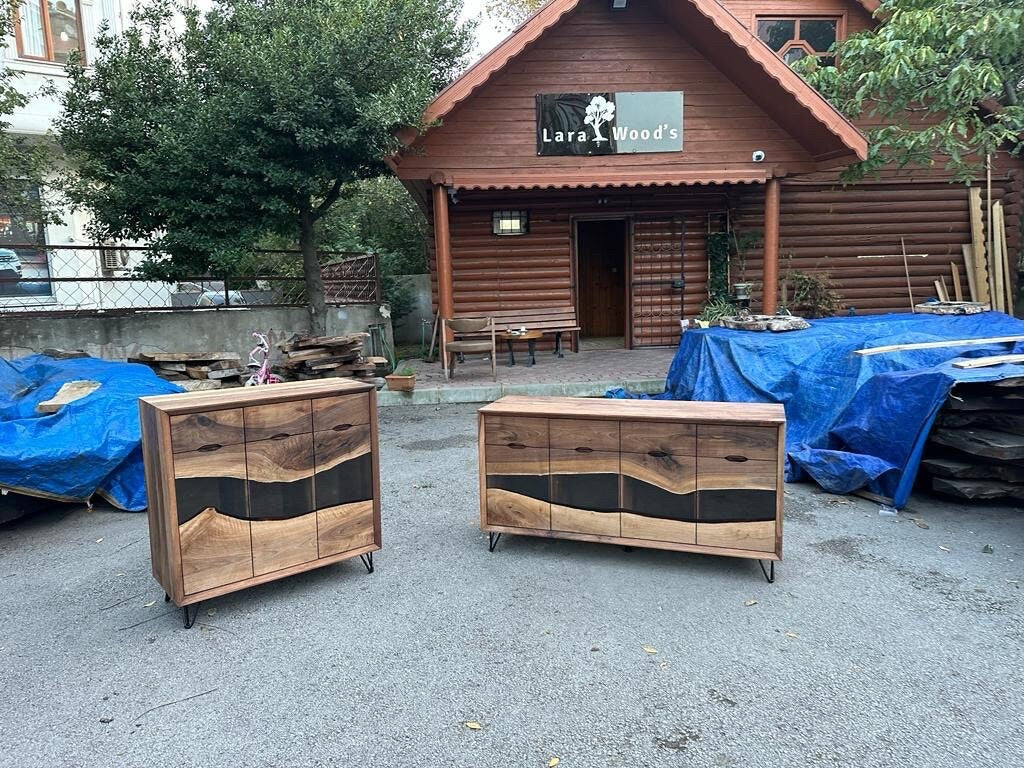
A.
x: 688, y: 477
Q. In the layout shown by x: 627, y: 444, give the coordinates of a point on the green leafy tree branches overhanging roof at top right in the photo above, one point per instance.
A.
x: 945, y: 75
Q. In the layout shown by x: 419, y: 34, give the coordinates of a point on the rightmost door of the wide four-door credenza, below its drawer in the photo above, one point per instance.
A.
x: 737, y: 503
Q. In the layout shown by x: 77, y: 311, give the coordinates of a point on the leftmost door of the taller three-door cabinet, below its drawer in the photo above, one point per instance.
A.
x: 214, y: 526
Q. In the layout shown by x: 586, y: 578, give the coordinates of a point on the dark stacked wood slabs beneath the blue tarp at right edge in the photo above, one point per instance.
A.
x: 976, y: 448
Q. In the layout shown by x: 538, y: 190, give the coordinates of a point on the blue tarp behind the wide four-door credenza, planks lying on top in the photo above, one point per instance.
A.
x: 854, y: 421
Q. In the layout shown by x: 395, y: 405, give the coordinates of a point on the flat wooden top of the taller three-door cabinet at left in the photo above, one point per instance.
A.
x: 192, y: 402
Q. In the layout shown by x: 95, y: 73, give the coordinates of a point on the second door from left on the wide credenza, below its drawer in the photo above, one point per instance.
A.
x: 585, y: 491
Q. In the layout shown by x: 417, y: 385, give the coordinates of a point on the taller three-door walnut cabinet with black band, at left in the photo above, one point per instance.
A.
x: 257, y: 484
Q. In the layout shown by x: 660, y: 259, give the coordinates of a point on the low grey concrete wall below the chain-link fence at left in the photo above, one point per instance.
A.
x: 201, y: 330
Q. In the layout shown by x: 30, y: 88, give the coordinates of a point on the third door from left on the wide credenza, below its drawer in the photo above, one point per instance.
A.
x: 660, y: 497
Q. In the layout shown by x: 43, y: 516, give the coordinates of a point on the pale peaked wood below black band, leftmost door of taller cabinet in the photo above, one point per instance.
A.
x: 216, y: 550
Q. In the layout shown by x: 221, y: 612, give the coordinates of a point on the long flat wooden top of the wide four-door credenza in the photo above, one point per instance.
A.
x: 596, y: 408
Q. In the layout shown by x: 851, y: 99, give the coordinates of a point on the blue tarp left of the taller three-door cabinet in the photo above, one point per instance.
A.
x: 92, y: 446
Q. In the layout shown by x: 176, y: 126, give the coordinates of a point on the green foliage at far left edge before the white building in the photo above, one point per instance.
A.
x: 24, y: 161
